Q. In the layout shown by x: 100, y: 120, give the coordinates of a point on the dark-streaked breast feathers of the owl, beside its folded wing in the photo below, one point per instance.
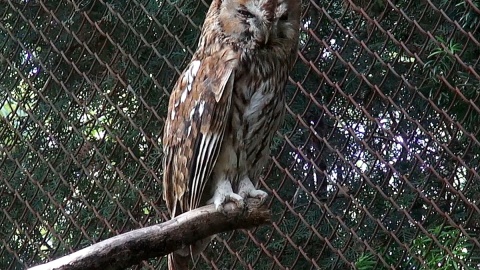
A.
x: 258, y: 106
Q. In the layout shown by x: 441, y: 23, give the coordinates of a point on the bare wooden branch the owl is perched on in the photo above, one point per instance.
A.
x: 131, y: 248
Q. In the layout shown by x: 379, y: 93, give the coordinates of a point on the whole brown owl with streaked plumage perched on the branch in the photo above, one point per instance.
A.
x: 227, y: 105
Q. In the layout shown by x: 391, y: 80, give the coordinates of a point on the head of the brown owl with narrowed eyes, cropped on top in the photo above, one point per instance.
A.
x: 259, y: 23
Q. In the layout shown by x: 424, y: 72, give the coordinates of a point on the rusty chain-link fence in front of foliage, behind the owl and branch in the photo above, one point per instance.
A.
x: 376, y: 166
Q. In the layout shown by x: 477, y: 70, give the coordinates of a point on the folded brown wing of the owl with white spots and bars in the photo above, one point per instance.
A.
x: 197, y: 116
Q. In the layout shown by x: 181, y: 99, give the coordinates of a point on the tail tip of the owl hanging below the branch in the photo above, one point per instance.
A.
x: 179, y: 259
